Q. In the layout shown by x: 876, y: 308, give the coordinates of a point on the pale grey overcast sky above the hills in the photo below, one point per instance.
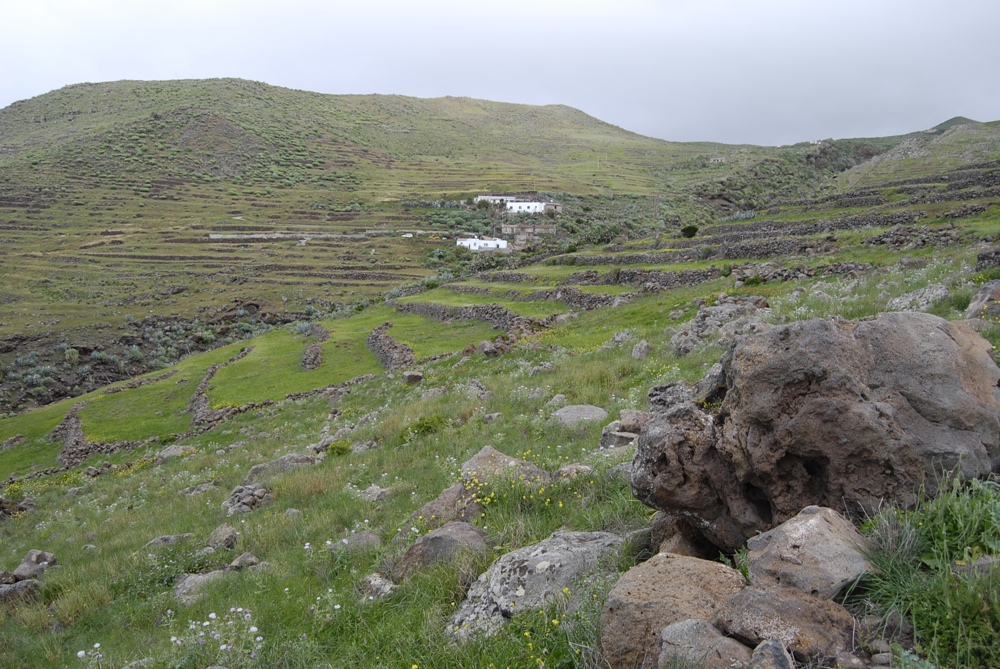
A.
x: 735, y: 71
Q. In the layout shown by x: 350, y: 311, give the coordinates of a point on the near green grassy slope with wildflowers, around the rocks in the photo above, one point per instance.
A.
x: 306, y: 606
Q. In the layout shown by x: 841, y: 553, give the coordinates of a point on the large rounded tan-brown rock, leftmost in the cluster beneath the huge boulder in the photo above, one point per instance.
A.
x: 652, y: 595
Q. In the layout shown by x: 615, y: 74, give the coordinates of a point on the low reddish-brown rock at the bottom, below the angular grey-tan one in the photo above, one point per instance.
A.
x: 810, y: 627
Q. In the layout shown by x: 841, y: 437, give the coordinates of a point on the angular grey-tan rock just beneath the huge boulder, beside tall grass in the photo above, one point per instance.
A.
x: 817, y: 551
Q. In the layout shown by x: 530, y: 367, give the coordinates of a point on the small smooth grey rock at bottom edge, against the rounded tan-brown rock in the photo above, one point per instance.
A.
x: 696, y: 642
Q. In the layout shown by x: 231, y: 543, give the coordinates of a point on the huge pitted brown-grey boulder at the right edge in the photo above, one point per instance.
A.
x: 828, y: 412
